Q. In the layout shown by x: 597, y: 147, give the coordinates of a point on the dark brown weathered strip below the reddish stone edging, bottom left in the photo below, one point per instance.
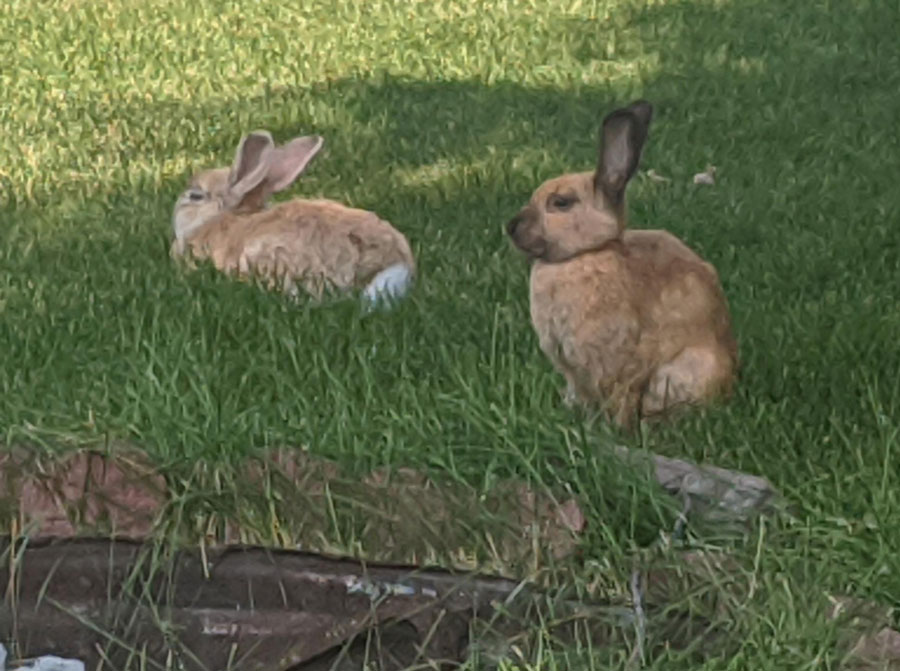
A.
x: 234, y: 608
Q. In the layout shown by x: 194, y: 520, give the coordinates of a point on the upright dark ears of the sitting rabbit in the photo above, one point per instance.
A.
x: 622, y: 139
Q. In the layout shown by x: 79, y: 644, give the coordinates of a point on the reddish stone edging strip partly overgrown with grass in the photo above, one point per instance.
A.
x: 289, y: 499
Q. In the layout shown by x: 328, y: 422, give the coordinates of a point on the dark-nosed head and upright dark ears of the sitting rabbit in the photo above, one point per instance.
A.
x: 582, y: 212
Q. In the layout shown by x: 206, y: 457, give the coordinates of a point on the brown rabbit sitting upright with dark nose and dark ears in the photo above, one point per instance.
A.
x: 634, y: 320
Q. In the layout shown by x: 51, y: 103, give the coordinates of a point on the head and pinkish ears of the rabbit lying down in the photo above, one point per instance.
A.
x: 259, y: 170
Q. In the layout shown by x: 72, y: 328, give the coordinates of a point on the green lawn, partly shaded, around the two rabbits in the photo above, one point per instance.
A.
x: 443, y: 117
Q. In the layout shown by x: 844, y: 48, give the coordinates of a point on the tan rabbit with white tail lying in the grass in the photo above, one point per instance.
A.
x: 314, y: 245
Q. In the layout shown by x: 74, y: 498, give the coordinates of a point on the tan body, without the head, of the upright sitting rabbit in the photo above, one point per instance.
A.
x: 615, y: 322
